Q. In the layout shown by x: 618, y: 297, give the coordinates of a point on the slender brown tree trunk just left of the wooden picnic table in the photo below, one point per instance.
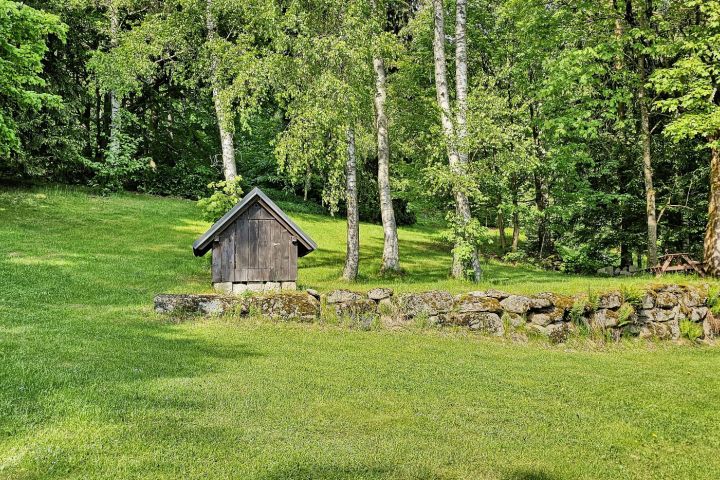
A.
x: 646, y: 139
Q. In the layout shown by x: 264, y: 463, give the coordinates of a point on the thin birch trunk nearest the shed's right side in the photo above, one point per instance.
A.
x: 352, y: 256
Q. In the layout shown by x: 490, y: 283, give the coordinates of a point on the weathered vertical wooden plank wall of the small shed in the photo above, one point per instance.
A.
x: 256, y: 248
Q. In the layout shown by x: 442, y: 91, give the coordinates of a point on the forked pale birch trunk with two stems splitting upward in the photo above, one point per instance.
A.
x: 457, y: 167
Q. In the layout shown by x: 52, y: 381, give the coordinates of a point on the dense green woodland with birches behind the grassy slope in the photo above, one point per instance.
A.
x: 591, y: 126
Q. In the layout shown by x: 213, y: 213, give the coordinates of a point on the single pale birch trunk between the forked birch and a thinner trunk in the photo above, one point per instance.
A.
x: 391, y: 260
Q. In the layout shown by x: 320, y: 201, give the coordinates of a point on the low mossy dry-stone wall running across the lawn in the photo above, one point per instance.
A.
x: 663, y: 311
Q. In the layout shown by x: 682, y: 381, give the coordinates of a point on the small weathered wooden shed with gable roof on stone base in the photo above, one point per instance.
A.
x: 255, y: 246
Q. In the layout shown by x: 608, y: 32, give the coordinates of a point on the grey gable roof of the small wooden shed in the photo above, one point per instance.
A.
x: 204, y: 243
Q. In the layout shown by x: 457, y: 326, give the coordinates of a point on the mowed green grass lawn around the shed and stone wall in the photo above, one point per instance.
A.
x: 93, y: 384
